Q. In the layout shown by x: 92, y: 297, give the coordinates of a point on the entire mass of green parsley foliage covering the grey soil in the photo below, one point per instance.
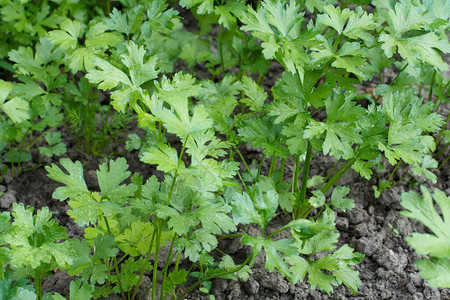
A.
x: 208, y: 187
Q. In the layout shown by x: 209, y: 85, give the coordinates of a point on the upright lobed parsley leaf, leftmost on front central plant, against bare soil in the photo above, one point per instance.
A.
x: 74, y: 181
